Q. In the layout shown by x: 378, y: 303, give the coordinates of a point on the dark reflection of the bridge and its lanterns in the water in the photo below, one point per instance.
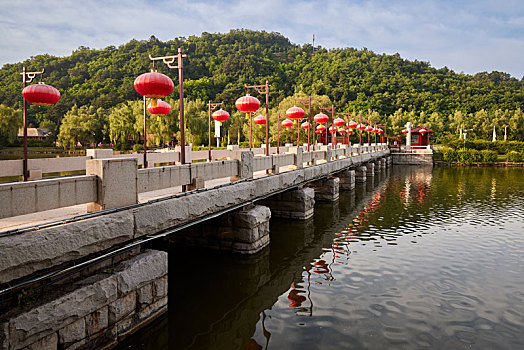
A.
x: 230, y: 301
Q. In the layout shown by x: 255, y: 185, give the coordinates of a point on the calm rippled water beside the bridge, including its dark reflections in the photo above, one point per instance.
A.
x: 421, y: 258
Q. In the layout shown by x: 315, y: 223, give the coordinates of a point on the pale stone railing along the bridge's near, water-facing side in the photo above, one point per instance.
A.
x: 116, y: 181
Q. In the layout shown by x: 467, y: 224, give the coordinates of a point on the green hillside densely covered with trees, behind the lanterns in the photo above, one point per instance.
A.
x: 386, y: 88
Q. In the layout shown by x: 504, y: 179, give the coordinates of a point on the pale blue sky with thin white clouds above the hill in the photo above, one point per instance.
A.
x: 467, y: 36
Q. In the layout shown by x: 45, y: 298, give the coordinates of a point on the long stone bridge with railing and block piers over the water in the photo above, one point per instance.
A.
x: 246, y: 190
